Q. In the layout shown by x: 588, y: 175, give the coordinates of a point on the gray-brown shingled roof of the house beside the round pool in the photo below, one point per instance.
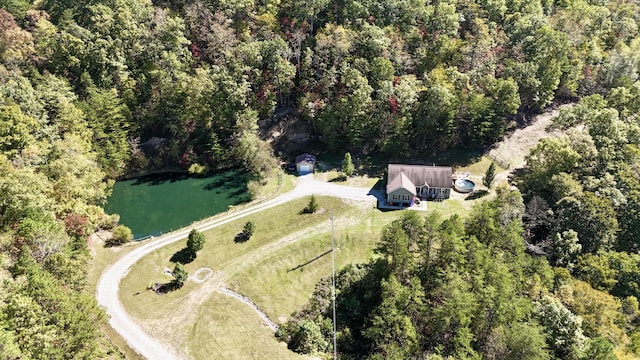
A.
x: 434, y: 176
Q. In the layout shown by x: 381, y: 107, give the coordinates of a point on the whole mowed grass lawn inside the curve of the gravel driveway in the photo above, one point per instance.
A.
x: 277, y: 268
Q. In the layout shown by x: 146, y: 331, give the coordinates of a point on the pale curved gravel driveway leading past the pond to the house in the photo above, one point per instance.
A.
x: 107, y: 288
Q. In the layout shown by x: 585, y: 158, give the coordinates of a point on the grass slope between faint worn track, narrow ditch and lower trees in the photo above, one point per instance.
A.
x: 283, y: 280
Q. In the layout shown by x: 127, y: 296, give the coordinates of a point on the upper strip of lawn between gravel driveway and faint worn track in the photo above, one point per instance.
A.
x: 220, y: 252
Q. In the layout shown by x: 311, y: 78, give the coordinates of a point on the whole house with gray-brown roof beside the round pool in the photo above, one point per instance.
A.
x: 407, y: 182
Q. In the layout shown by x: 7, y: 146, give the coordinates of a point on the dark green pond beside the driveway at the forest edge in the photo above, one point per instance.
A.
x: 156, y: 204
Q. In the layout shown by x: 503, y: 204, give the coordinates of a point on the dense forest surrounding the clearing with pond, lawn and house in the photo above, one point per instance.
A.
x: 94, y: 90
